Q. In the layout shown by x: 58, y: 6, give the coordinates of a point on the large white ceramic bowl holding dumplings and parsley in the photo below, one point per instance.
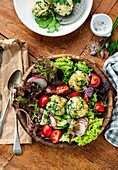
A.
x: 23, y: 10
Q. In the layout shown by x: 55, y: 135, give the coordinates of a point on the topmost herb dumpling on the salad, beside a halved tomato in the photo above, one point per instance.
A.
x: 79, y: 81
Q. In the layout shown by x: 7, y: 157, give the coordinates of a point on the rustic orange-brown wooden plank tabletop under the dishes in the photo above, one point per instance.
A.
x: 97, y: 155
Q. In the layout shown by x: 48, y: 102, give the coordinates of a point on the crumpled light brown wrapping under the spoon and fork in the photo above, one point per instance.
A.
x: 15, y: 57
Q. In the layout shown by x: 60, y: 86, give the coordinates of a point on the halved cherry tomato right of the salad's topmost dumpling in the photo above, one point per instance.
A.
x: 95, y: 81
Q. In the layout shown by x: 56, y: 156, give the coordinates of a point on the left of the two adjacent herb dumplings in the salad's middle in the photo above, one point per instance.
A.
x: 56, y: 105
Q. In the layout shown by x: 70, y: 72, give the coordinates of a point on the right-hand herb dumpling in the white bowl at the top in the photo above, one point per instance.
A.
x: 63, y: 9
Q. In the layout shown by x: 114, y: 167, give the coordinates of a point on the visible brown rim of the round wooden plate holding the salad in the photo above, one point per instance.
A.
x: 106, y: 116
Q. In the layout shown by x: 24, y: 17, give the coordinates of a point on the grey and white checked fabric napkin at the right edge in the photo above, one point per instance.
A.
x: 111, y: 70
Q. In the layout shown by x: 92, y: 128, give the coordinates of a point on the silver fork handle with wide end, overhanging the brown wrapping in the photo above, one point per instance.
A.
x: 17, y: 147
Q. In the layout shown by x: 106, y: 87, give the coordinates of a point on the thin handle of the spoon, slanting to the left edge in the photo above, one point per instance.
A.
x: 3, y: 117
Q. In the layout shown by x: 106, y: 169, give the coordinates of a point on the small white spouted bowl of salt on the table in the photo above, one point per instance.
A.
x: 101, y: 25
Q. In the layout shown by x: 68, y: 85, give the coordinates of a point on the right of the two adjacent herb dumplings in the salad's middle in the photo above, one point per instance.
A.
x: 77, y: 107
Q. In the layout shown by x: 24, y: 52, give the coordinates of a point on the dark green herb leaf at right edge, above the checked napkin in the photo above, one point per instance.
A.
x: 113, y: 47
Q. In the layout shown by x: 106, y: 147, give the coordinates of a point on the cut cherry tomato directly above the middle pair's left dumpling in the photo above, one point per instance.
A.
x: 62, y: 90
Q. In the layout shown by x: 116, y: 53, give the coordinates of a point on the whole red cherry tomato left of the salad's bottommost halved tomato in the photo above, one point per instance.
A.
x: 46, y: 131
